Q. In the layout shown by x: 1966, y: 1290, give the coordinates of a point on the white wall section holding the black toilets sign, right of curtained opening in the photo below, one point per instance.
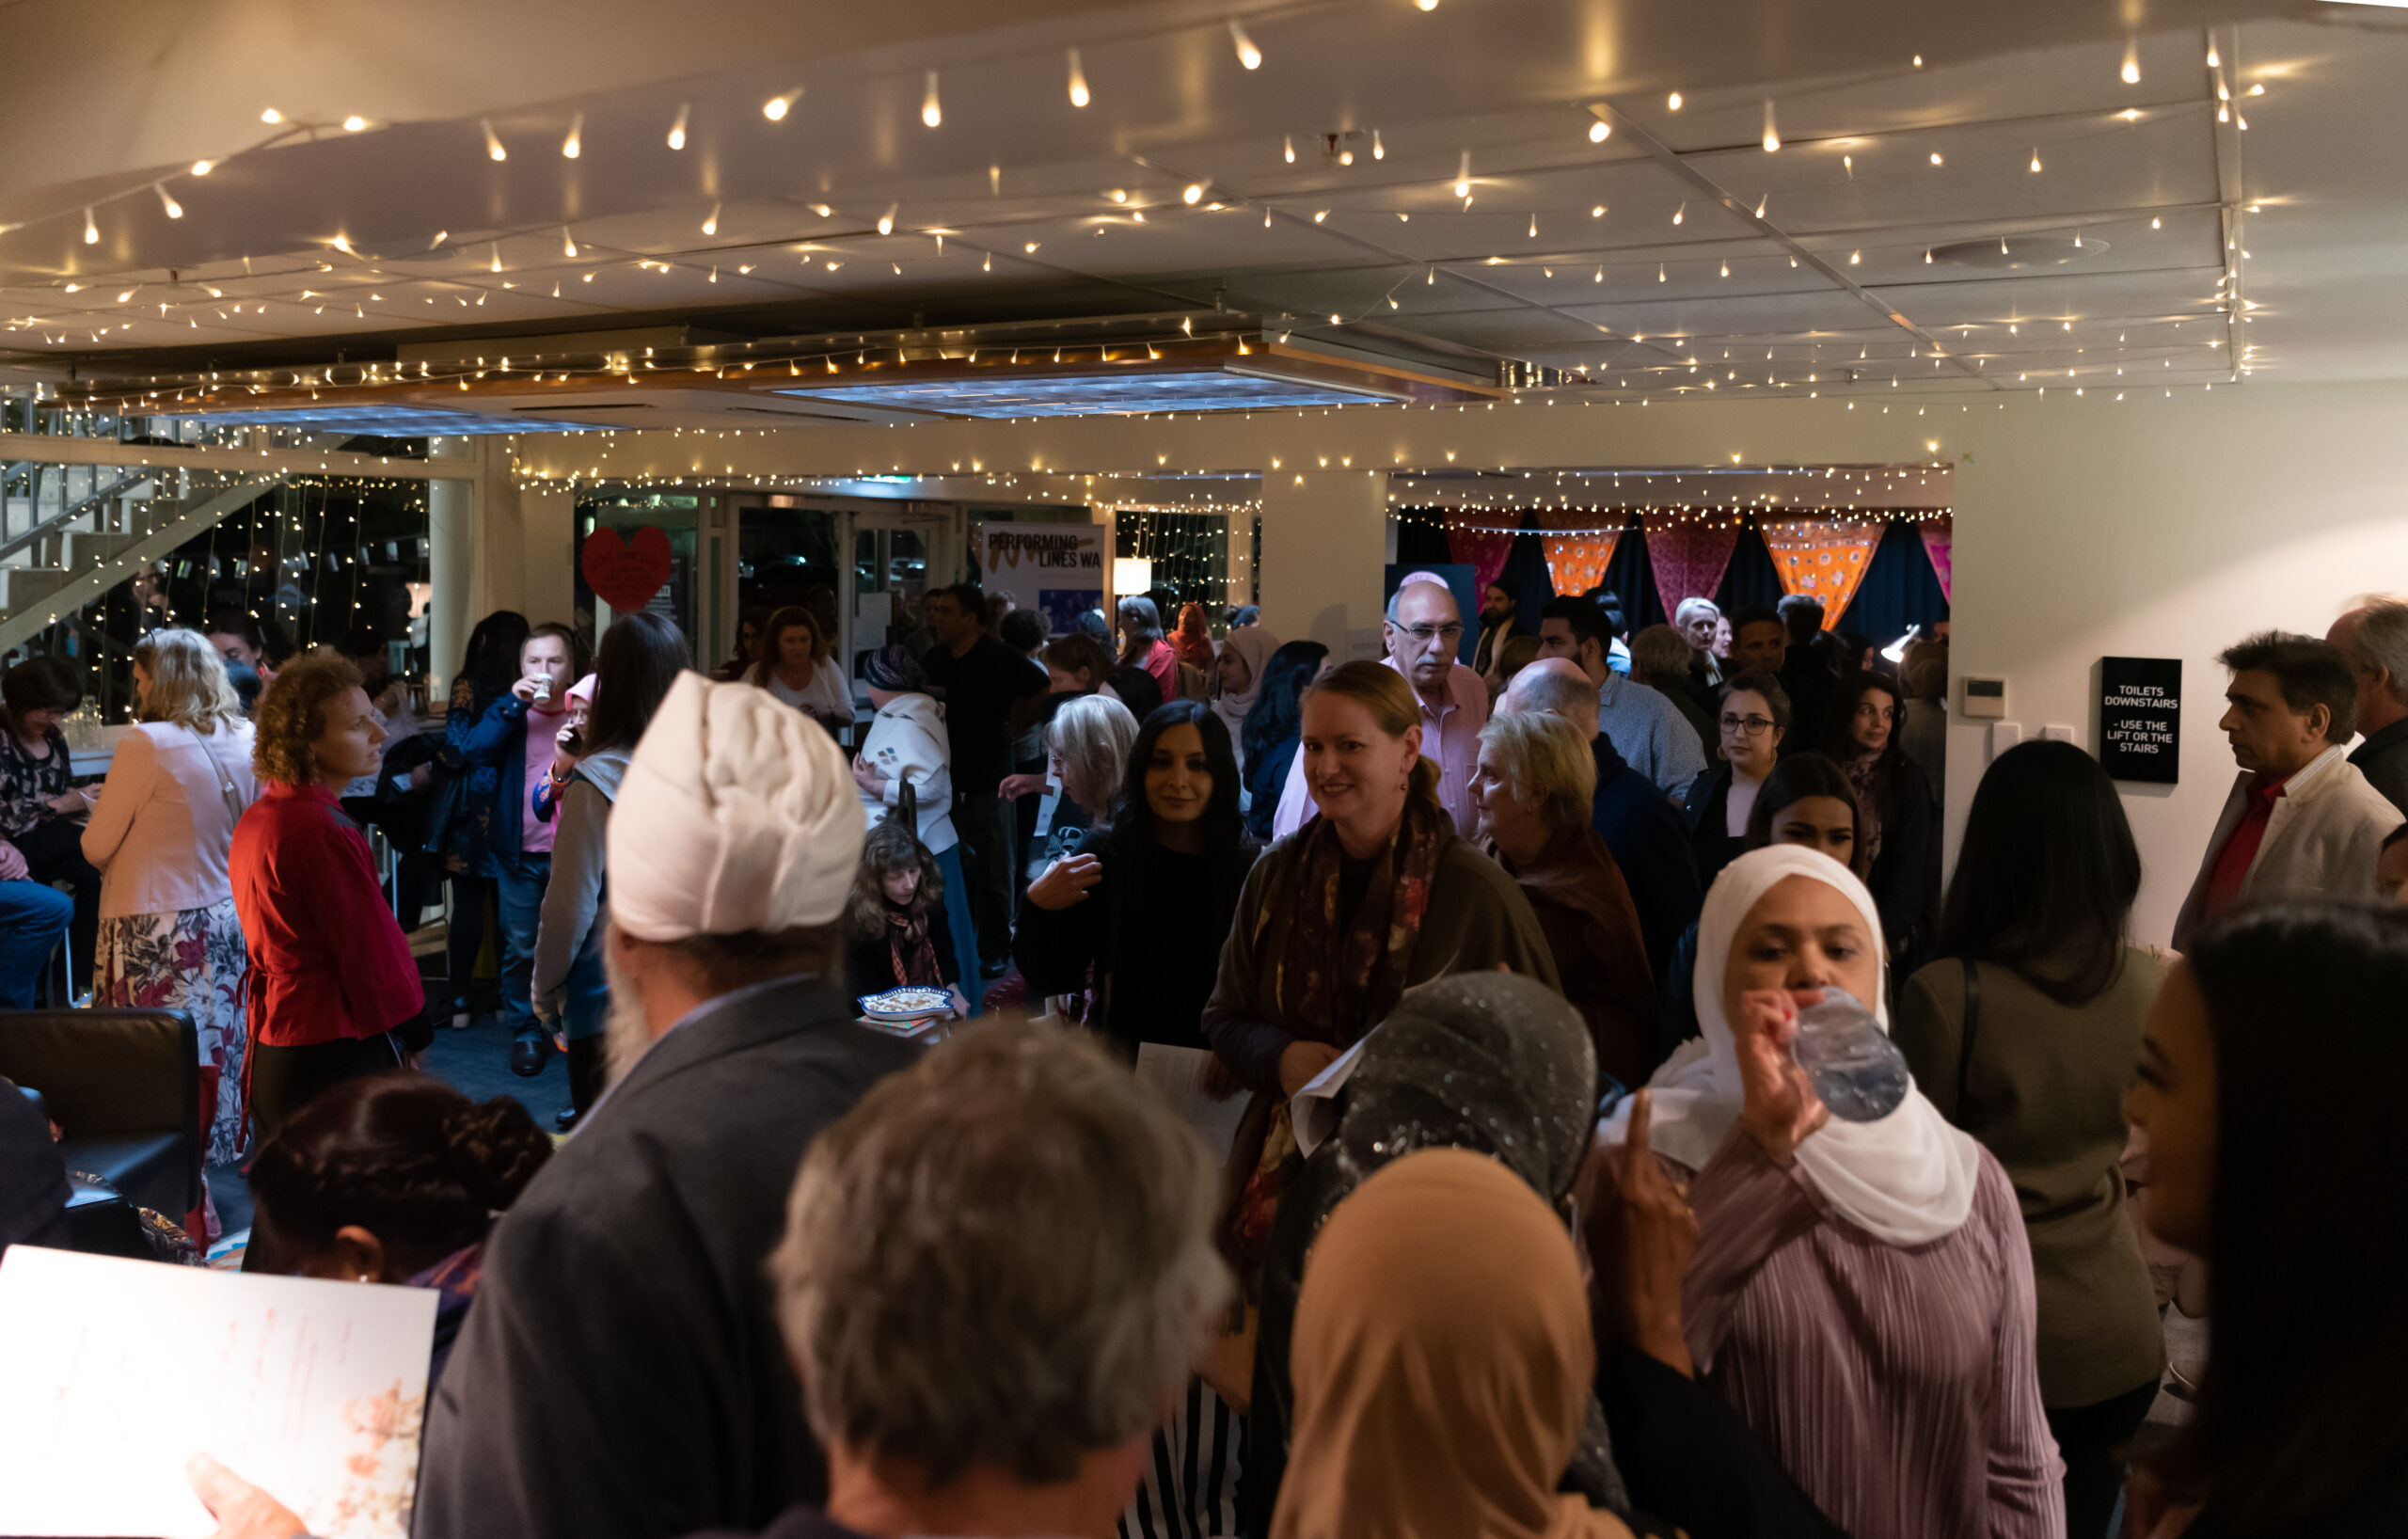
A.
x: 2166, y: 531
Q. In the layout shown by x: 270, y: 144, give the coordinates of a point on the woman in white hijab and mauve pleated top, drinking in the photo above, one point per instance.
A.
x: 1863, y: 1292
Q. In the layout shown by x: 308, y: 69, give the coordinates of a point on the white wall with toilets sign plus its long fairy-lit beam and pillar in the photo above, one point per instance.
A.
x: 2084, y: 524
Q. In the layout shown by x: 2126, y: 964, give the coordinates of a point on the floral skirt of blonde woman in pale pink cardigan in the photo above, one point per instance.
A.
x: 189, y: 962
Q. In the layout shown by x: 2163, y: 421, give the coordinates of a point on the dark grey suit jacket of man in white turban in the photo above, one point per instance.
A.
x: 622, y: 1374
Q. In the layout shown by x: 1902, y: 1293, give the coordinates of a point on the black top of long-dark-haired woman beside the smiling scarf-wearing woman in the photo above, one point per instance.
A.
x: 1147, y: 936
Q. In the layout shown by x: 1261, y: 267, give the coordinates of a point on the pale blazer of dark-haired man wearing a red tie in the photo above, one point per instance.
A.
x: 2323, y: 839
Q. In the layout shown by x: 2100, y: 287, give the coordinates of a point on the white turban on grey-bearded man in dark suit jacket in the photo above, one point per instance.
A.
x: 738, y: 813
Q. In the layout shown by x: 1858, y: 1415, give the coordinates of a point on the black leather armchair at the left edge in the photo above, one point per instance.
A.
x: 124, y: 1087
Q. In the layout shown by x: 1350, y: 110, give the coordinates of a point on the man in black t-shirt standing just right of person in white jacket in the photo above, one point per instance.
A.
x: 981, y: 680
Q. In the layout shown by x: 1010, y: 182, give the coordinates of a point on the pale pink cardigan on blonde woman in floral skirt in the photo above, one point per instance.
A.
x: 163, y: 830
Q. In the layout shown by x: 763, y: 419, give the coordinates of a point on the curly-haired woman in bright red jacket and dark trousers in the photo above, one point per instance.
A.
x: 331, y: 972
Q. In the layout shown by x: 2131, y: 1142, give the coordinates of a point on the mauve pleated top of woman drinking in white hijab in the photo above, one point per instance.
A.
x: 1896, y: 1384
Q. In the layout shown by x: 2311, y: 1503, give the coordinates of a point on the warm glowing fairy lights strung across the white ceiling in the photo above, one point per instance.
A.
x: 343, y: 276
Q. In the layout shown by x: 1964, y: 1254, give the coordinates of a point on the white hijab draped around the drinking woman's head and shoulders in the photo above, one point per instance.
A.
x: 1906, y: 1179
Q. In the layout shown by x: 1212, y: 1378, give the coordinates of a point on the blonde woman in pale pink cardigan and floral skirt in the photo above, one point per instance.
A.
x: 160, y: 837
